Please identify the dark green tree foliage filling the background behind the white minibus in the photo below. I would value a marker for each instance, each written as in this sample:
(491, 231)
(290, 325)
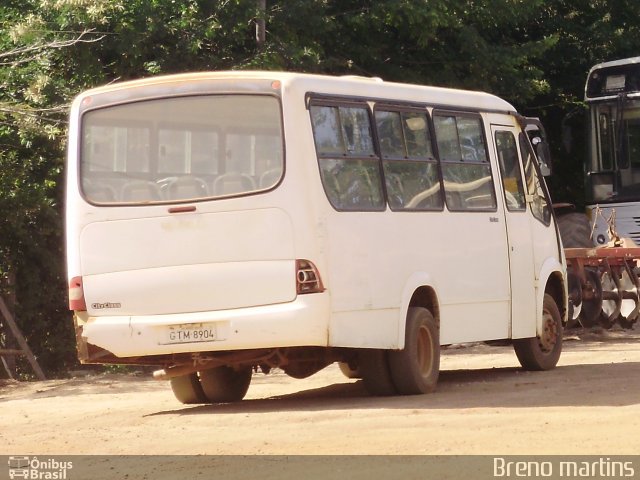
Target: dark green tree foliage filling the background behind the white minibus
(534, 53)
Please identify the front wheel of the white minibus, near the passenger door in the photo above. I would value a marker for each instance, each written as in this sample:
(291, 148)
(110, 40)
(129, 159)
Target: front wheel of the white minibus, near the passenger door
(542, 353)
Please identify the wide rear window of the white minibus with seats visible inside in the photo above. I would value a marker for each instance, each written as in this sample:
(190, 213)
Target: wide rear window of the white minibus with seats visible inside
(181, 148)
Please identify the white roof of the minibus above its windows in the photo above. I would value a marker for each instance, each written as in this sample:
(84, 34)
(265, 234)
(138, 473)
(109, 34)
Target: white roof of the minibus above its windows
(362, 87)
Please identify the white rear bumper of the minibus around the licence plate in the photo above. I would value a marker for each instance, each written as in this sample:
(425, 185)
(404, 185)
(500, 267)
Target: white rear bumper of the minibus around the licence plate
(303, 322)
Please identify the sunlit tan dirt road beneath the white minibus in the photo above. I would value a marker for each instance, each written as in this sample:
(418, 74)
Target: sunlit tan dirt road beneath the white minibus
(485, 404)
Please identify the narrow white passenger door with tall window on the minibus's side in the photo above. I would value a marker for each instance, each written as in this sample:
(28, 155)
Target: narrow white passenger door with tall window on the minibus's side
(519, 231)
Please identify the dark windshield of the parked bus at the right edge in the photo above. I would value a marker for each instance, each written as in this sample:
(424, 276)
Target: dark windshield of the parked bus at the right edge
(615, 169)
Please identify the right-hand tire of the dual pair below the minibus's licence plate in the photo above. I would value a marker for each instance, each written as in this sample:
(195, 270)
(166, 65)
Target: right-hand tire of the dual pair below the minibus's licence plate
(224, 384)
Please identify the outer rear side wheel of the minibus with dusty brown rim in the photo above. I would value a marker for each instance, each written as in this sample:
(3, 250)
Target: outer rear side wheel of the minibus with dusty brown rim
(416, 368)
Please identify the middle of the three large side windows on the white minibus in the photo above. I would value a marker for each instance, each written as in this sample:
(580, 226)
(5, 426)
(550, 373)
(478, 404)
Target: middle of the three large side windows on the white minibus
(410, 169)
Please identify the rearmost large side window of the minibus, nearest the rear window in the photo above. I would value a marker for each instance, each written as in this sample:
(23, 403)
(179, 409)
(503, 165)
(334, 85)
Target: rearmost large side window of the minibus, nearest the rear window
(349, 168)
